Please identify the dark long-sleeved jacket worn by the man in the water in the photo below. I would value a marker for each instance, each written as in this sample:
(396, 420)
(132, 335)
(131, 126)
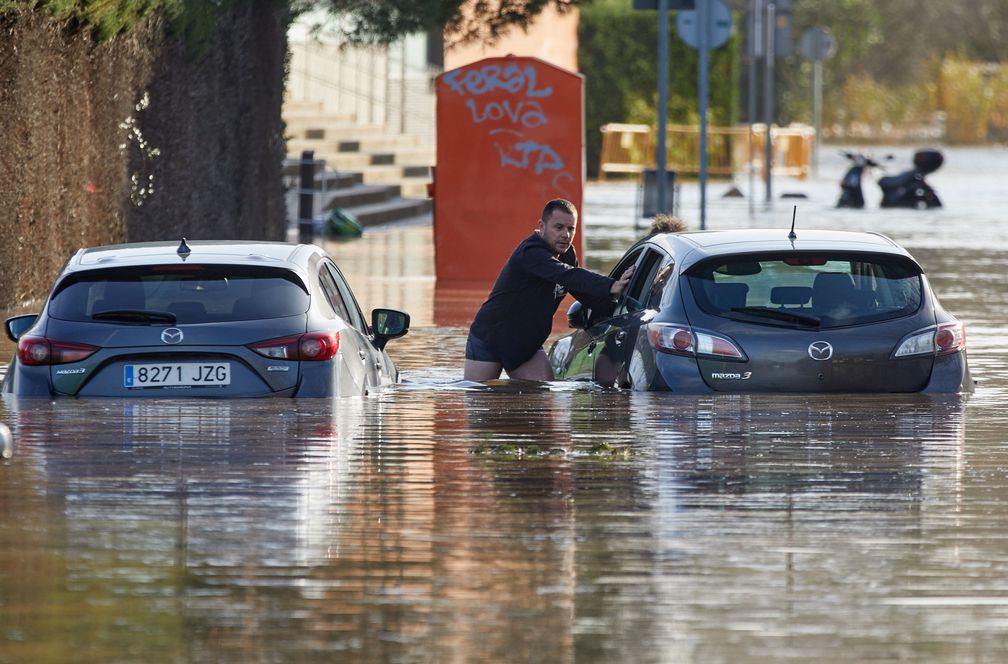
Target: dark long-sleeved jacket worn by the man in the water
(518, 317)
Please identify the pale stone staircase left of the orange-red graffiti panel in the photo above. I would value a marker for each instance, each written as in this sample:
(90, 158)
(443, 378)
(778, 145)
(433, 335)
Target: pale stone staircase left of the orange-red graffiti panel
(375, 176)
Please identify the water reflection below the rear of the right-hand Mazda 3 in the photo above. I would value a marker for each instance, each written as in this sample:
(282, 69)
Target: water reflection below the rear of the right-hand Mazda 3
(824, 447)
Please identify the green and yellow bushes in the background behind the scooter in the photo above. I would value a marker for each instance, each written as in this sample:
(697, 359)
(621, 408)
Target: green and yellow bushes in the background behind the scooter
(902, 66)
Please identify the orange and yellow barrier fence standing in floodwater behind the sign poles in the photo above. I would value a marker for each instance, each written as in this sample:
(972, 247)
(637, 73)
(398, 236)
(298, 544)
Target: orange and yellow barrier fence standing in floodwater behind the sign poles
(631, 150)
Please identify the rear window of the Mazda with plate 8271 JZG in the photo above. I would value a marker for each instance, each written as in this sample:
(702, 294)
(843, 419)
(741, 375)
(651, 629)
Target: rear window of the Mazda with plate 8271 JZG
(180, 294)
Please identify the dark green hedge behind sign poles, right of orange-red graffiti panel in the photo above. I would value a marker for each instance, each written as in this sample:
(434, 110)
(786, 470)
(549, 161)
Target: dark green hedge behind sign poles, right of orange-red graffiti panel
(618, 55)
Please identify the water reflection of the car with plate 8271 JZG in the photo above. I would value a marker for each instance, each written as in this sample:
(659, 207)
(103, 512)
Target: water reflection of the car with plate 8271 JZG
(183, 468)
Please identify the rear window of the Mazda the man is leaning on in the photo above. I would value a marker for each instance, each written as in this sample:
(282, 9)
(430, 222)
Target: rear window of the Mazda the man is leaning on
(808, 291)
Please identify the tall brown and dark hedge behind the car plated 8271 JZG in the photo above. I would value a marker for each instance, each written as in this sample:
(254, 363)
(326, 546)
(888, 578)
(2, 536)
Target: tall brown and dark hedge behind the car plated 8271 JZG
(121, 122)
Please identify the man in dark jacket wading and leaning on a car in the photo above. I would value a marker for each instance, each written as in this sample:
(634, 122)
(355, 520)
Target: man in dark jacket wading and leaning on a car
(511, 328)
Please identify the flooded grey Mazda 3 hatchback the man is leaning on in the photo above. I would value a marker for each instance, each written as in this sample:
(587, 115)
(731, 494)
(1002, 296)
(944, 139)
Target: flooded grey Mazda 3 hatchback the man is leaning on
(758, 311)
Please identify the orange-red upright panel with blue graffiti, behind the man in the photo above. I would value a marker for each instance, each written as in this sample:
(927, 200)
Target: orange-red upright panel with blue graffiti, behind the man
(511, 138)
